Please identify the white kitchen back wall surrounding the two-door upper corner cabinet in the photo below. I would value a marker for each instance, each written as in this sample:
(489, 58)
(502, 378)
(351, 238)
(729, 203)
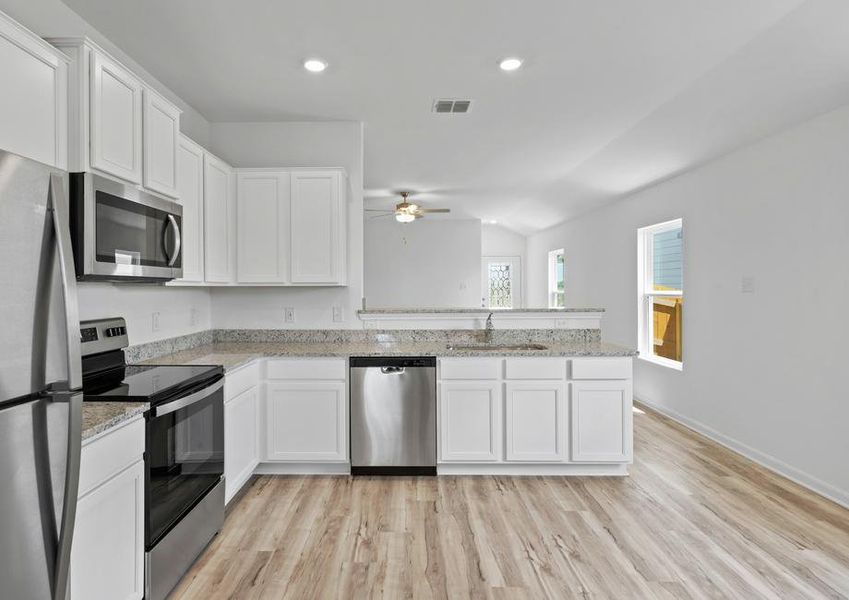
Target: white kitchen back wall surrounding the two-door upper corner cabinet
(319, 144)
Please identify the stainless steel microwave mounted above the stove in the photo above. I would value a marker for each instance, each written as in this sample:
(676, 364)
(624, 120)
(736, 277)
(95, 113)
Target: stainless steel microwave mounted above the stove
(122, 233)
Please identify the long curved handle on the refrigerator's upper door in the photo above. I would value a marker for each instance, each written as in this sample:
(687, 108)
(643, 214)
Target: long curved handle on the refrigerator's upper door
(57, 206)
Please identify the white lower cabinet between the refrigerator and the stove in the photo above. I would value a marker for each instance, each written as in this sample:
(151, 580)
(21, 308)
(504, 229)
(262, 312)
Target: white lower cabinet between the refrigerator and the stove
(107, 557)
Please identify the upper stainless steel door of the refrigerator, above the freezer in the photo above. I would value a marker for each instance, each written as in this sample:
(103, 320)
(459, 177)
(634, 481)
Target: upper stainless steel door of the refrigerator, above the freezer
(34, 346)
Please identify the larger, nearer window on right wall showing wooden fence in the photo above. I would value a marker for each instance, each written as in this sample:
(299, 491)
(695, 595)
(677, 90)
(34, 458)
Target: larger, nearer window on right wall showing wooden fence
(660, 250)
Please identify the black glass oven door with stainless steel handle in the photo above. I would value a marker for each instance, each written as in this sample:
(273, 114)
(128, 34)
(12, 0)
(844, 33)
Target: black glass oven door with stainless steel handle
(185, 456)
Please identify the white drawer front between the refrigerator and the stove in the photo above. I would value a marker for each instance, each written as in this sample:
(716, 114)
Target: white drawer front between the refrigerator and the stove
(105, 456)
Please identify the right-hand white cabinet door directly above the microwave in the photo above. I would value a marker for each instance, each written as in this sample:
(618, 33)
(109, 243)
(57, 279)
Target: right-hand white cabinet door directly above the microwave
(161, 132)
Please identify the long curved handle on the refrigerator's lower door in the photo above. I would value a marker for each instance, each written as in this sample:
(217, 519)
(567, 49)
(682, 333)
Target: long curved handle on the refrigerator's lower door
(69, 500)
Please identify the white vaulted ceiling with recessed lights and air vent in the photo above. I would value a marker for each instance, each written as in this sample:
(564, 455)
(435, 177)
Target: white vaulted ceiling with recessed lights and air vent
(613, 95)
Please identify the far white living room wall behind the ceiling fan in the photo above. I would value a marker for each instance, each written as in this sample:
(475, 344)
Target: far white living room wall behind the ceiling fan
(423, 264)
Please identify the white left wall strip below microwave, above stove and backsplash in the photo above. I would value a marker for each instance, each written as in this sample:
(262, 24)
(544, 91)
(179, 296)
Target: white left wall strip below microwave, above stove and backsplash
(180, 310)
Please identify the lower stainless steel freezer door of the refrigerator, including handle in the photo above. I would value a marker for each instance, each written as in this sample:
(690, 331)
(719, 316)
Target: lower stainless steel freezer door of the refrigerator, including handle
(39, 463)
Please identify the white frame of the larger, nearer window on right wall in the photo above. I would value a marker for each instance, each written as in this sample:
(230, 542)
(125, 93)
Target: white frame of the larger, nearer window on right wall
(646, 293)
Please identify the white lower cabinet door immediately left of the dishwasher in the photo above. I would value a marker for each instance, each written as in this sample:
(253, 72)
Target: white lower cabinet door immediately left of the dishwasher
(307, 422)
